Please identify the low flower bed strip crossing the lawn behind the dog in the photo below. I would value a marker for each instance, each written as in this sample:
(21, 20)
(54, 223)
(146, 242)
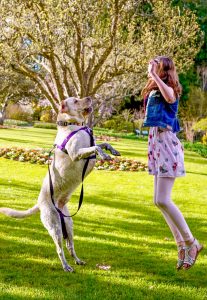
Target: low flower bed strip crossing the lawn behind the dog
(41, 156)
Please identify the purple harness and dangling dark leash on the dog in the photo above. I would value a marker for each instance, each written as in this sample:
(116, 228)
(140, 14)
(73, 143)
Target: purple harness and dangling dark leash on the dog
(62, 148)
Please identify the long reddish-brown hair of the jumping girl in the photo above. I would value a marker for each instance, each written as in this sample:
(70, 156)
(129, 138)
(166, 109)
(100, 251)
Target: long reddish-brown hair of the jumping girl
(167, 72)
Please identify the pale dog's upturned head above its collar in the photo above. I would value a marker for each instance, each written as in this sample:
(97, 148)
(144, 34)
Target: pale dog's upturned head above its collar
(76, 110)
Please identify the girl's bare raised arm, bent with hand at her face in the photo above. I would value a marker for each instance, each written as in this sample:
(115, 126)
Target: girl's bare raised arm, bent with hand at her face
(165, 90)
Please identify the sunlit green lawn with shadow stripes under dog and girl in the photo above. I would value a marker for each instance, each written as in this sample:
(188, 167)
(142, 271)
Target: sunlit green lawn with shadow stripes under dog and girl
(117, 225)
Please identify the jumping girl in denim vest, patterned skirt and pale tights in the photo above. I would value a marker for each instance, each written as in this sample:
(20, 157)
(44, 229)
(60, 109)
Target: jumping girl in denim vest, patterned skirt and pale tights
(165, 152)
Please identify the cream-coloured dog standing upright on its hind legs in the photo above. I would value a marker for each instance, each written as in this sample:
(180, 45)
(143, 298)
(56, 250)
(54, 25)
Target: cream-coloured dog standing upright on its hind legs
(65, 172)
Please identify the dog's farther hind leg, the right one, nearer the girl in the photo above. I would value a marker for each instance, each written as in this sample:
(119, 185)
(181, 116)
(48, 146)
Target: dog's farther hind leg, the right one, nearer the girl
(69, 240)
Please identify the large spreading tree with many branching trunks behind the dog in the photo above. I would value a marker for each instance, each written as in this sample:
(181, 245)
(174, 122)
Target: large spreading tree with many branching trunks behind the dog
(89, 47)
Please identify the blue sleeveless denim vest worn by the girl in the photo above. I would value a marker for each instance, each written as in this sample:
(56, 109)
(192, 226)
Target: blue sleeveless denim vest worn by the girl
(160, 113)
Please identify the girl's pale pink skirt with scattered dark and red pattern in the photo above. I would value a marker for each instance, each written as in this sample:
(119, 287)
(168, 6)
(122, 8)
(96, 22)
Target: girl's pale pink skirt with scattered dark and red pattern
(165, 154)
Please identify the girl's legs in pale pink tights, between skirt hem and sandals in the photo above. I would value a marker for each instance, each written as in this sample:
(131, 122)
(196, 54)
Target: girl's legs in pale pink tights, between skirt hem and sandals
(180, 229)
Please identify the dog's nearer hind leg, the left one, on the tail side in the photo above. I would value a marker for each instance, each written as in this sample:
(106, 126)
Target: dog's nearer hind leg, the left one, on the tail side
(52, 223)
